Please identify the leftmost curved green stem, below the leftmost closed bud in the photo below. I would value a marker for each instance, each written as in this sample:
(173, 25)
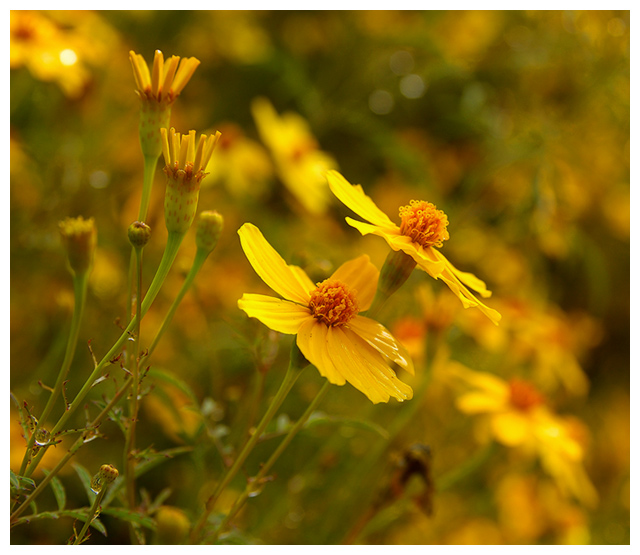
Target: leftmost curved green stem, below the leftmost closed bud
(80, 294)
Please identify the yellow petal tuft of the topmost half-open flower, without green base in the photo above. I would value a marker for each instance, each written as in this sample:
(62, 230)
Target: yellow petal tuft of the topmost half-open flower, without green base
(166, 80)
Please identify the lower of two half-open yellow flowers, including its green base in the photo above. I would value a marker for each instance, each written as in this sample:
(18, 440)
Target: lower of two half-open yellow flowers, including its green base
(185, 167)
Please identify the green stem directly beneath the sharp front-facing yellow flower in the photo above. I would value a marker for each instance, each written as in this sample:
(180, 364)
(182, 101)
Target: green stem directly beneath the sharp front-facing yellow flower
(296, 365)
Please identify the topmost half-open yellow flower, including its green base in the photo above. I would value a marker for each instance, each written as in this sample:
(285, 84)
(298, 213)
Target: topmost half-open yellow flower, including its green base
(157, 90)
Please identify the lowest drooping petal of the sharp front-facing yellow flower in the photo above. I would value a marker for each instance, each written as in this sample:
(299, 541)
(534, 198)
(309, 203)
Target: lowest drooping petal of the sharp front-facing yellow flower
(364, 368)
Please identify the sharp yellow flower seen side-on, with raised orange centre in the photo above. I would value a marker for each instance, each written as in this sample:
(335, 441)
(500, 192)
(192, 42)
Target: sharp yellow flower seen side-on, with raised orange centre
(422, 231)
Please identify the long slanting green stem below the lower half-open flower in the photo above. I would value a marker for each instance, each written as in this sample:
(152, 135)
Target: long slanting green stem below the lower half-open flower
(170, 252)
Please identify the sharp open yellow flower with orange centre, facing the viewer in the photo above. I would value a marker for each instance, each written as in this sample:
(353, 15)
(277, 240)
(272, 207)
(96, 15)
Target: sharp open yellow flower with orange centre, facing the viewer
(330, 333)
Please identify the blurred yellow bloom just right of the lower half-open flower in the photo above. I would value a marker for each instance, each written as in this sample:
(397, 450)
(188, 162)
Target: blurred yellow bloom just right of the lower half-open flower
(240, 163)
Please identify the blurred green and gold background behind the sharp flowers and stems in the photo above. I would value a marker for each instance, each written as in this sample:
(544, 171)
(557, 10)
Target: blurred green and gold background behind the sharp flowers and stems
(515, 123)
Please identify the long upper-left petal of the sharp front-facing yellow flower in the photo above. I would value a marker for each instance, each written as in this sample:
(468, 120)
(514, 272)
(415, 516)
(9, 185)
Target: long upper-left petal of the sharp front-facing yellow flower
(271, 267)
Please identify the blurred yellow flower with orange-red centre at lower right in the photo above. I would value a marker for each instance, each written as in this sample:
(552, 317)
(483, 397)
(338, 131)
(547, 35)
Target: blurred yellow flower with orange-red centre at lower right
(517, 416)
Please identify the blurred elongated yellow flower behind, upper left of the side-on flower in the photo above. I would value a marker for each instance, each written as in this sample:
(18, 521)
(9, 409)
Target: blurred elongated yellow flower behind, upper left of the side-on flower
(299, 163)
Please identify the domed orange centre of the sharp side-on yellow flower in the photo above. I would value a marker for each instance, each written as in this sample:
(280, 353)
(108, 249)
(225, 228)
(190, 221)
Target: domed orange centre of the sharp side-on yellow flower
(424, 223)
